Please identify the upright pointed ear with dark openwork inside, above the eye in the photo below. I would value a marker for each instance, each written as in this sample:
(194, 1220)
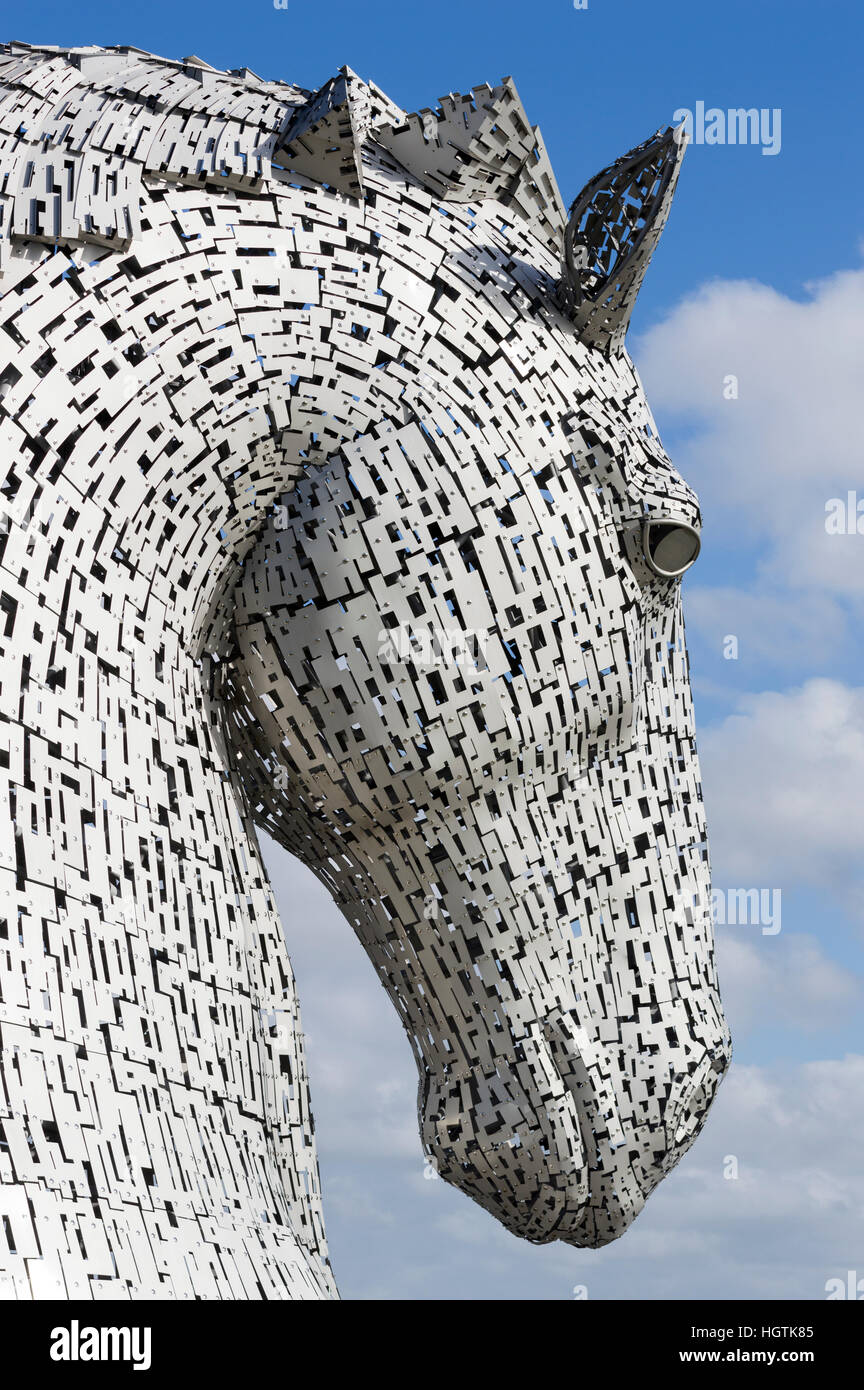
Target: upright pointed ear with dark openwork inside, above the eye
(613, 230)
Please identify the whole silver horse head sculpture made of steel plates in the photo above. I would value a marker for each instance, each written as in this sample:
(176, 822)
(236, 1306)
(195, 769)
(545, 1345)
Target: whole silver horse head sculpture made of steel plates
(333, 507)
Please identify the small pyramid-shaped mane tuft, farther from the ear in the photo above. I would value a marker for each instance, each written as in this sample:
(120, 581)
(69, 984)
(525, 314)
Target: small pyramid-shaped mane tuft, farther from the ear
(324, 138)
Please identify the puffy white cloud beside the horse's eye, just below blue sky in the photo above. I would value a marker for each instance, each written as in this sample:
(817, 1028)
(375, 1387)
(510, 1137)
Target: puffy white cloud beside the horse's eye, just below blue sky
(769, 461)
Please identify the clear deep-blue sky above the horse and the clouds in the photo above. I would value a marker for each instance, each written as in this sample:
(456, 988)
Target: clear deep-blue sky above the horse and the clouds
(597, 81)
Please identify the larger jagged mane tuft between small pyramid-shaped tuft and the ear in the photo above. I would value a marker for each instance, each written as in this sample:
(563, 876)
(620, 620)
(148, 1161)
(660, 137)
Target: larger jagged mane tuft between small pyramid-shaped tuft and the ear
(481, 145)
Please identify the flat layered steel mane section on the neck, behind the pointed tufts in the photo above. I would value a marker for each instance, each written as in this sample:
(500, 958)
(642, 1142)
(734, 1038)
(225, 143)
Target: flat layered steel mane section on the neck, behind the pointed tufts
(81, 130)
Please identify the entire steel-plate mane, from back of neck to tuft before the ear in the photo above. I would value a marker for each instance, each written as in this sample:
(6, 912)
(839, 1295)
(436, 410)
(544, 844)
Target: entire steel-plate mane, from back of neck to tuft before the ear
(83, 130)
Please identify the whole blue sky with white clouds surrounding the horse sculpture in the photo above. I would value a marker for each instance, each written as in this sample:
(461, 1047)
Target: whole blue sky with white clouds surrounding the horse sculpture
(759, 275)
